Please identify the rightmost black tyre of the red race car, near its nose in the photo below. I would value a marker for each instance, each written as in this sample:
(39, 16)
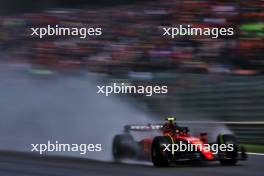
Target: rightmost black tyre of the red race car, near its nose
(228, 157)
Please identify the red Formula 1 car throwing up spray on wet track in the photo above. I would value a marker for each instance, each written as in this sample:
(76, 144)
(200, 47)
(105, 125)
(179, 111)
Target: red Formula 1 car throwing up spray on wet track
(175, 144)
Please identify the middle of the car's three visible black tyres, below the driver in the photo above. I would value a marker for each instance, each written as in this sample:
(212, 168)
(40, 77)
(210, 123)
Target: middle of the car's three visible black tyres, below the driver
(159, 157)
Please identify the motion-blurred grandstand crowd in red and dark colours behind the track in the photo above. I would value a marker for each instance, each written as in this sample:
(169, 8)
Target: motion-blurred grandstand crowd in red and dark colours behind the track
(132, 40)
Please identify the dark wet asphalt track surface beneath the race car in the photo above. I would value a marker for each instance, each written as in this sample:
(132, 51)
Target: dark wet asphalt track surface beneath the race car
(13, 164)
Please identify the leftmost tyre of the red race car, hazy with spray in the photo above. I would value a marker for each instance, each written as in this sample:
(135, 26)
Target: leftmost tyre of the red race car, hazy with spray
(122, 146)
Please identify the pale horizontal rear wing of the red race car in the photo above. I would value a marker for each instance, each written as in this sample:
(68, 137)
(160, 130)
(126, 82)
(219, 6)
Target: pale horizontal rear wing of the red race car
(149, 127)
